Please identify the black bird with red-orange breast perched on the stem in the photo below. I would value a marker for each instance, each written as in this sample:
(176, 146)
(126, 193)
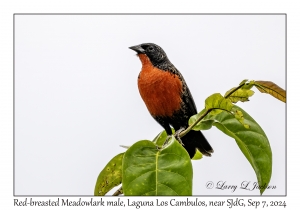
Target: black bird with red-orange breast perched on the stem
(167, 96)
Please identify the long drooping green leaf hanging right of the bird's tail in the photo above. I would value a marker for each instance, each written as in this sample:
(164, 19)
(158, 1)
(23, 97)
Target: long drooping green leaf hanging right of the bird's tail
(252, 141)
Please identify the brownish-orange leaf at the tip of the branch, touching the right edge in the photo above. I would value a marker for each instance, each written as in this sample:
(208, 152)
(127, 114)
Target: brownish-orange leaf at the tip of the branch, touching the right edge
(272, 89)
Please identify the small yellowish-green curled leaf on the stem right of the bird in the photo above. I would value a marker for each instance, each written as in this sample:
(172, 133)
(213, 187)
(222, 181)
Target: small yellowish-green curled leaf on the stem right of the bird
(217, 103)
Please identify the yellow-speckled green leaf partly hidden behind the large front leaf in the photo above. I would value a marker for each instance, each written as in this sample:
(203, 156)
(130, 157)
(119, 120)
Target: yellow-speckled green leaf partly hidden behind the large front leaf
(110, 176)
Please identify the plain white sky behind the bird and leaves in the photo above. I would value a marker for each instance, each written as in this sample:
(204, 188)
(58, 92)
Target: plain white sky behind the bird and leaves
(76, 95)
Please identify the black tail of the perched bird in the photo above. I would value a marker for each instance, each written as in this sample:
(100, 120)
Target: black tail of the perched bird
(195, 139)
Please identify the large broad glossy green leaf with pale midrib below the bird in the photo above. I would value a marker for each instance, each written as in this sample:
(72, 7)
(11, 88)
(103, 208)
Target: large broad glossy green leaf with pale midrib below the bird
(149, 171)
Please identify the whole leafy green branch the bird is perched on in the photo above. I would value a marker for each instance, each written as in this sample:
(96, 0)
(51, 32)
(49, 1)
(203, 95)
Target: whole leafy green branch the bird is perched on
(163, 167)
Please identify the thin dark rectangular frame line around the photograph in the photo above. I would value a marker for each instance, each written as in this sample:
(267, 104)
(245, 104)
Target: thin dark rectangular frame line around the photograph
(14, 194)
